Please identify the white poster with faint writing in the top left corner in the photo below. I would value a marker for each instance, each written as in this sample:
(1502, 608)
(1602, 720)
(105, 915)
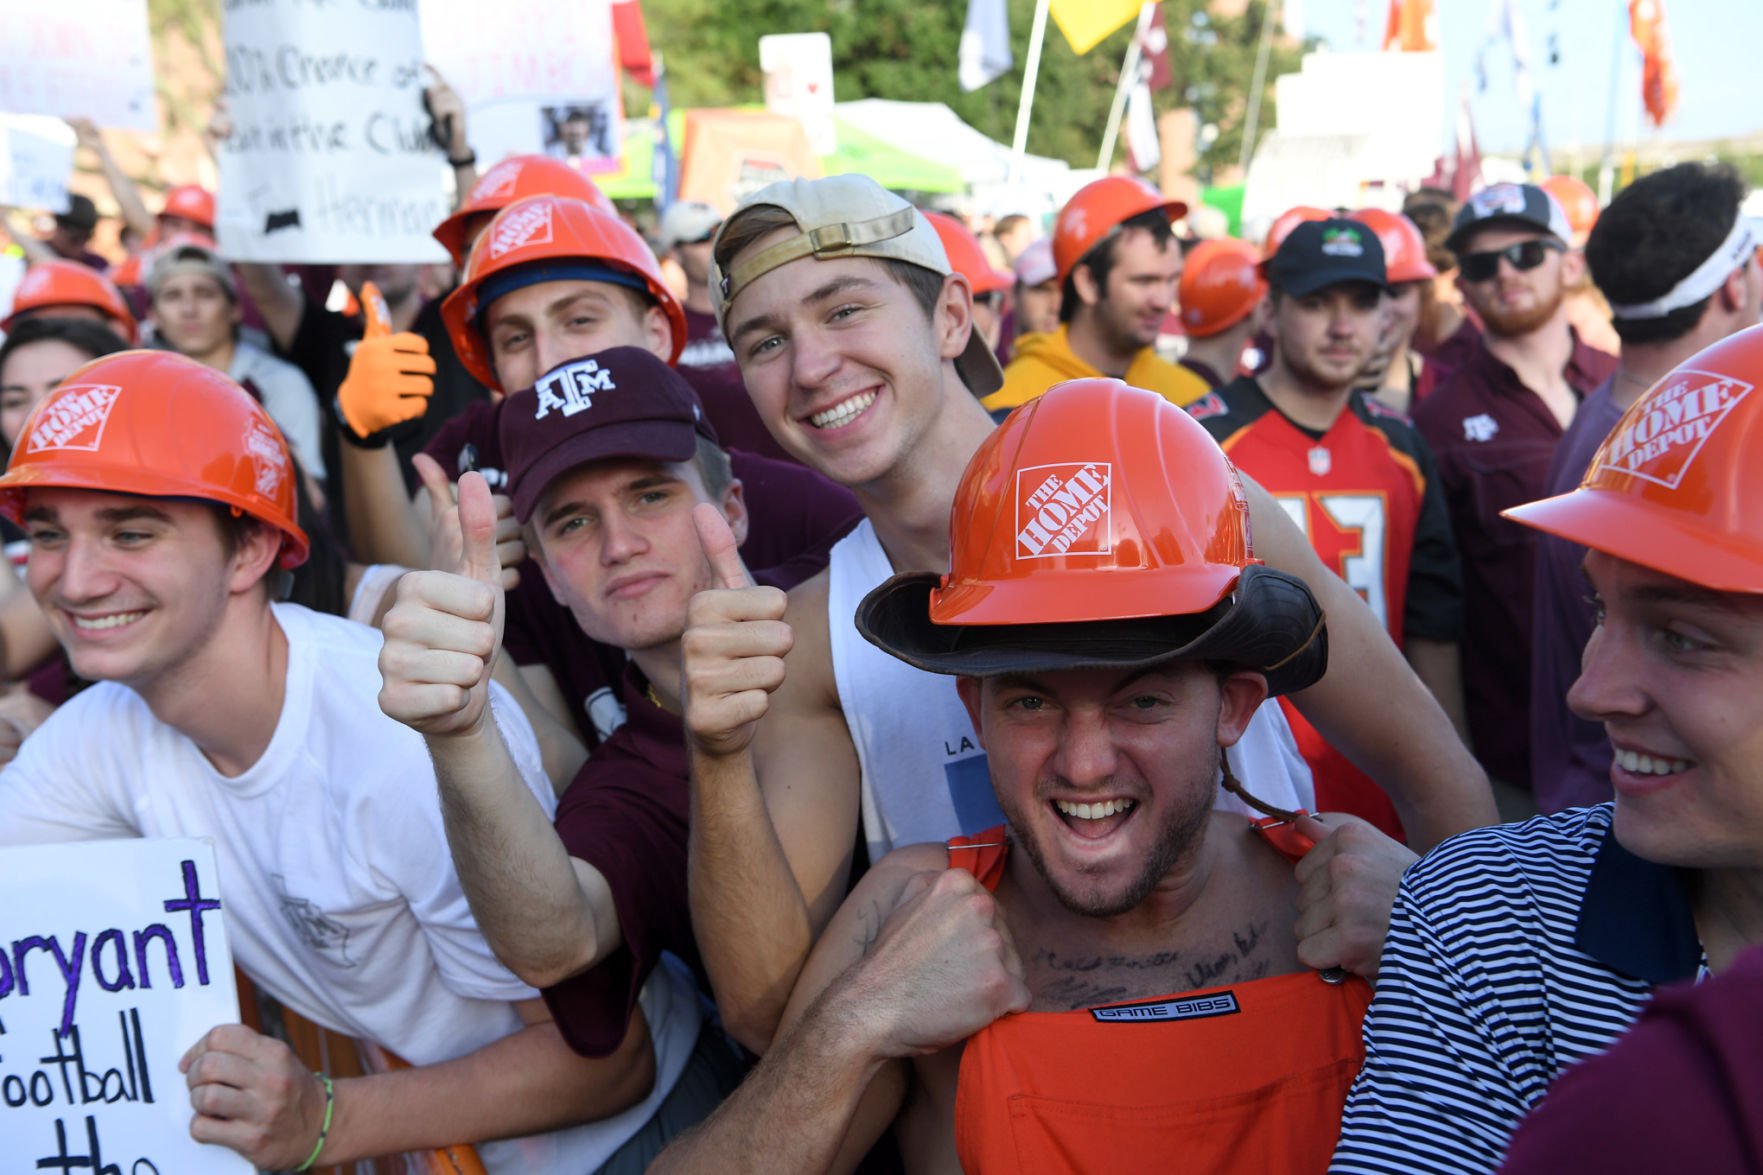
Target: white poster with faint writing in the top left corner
(78, 59)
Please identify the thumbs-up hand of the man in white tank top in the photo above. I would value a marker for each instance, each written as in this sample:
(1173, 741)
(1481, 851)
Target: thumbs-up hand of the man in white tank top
(734, 647)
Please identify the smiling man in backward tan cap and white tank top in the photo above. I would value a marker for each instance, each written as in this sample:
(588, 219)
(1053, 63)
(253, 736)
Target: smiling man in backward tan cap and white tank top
(856, 345)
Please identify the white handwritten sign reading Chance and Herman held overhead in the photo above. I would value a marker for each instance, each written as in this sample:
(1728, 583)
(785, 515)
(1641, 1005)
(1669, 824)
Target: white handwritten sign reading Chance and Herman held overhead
(331, 156)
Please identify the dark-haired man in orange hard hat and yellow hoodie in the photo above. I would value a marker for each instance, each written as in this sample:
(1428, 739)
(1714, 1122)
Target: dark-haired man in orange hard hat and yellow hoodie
(1119, 264)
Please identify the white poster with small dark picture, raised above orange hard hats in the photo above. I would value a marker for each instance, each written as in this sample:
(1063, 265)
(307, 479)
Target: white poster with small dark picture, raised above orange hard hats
(537, 79)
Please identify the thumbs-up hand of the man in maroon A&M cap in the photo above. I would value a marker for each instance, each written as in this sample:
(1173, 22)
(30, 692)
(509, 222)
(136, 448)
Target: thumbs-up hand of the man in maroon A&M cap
(447, 627)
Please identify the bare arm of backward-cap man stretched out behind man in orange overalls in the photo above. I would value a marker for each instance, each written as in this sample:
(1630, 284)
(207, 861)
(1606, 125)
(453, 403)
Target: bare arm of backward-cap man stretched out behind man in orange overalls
(1371, 705)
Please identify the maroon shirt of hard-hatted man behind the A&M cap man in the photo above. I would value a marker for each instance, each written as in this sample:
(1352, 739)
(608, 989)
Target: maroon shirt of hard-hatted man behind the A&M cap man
(794, 518)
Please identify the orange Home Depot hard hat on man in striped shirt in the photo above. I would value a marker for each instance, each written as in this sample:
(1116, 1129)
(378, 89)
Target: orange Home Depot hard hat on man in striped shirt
(1676, 486)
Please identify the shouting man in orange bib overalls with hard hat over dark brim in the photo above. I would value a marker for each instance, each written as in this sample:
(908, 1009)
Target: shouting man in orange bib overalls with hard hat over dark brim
(1145, 938)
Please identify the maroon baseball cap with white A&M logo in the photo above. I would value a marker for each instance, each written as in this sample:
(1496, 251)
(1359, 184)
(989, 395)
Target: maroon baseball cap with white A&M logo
(620, 403)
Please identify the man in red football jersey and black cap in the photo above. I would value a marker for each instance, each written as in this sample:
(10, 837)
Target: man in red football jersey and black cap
(1353, 475)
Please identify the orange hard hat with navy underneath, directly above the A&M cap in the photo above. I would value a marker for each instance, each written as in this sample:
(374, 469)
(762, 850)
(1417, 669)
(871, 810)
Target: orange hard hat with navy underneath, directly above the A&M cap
(560, 239)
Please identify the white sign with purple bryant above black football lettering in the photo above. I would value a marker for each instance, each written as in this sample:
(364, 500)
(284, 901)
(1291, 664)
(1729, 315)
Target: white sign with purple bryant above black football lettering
(114, 961)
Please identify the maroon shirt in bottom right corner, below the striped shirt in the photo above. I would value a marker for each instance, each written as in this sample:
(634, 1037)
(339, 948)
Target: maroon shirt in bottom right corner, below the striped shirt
(1683, 1091)
